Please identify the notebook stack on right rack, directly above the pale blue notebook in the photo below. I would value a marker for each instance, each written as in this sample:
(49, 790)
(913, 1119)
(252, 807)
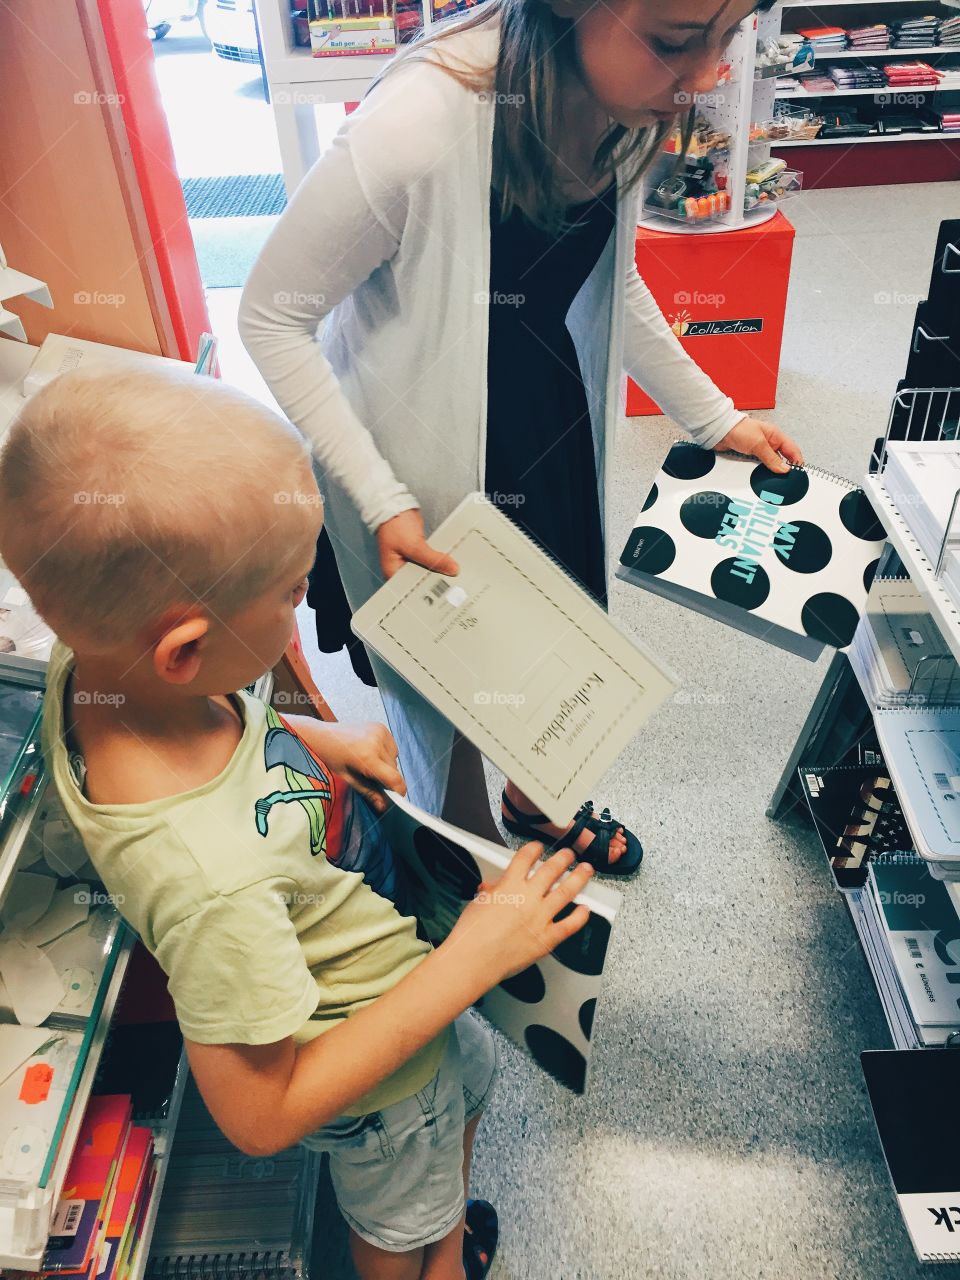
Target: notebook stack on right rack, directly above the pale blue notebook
(899, 650)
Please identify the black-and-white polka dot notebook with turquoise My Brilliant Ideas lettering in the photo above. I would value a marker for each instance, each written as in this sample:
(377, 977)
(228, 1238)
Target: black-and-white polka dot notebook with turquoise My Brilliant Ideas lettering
(788, 559)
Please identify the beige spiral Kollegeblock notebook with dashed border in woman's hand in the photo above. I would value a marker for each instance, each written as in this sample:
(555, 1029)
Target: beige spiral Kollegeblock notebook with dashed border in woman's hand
(518, 656)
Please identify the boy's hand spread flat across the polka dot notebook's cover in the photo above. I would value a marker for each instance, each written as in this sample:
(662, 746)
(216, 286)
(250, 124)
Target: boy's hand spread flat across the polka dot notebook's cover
(513, 924)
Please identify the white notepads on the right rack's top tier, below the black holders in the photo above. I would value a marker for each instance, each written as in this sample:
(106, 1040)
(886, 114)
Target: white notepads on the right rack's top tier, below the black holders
(924, 479)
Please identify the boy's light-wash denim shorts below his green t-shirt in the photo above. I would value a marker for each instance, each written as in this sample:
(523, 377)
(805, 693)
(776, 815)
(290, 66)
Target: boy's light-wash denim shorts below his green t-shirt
(399, 1173)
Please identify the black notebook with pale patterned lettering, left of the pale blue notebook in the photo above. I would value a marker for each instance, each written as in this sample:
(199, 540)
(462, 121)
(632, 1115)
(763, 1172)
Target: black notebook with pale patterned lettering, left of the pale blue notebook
(857, 815)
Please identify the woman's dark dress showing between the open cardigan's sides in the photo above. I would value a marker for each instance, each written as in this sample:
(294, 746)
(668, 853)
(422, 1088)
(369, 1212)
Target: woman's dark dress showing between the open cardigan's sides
(541, 467)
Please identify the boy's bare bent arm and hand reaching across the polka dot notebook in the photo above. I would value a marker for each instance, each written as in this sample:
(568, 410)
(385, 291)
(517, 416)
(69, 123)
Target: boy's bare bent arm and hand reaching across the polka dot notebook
(267, 1098)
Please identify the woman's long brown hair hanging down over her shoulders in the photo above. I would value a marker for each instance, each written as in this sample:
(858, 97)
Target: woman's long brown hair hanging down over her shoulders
(537, 49)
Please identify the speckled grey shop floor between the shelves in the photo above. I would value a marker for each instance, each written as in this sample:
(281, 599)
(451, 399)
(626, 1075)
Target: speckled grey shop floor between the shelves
(728, 1132)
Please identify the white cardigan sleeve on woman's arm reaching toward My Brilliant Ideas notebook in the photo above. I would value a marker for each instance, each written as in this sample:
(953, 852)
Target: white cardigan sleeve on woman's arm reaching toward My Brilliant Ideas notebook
(656, 362)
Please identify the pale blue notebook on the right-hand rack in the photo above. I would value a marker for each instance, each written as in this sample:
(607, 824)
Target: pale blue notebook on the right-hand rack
(922, 751)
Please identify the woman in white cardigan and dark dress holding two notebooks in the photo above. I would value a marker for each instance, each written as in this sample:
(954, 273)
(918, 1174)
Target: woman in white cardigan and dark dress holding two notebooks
(470, 237)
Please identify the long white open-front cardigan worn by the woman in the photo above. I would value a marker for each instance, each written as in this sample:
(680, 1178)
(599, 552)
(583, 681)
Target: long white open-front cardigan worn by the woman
(387, 243)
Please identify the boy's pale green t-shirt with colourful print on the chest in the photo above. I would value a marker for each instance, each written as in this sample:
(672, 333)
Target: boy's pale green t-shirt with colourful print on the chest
(267, 895)
